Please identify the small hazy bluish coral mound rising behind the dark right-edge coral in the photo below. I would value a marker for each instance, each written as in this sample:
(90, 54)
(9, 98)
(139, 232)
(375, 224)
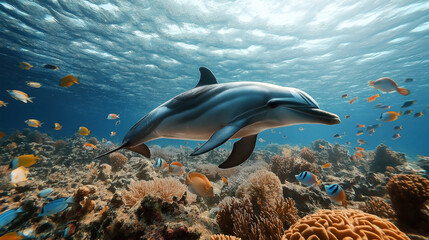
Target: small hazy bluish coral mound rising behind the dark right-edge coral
(385, 157)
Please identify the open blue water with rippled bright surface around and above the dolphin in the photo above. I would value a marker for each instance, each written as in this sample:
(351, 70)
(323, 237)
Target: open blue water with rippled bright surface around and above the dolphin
(133, 56)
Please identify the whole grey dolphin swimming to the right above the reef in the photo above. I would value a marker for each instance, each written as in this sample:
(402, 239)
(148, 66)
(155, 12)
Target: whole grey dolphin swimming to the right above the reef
(217, 112)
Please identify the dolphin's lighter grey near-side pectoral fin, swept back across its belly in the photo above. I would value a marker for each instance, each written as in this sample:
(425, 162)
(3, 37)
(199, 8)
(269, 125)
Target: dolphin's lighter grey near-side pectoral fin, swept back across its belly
(219, 137)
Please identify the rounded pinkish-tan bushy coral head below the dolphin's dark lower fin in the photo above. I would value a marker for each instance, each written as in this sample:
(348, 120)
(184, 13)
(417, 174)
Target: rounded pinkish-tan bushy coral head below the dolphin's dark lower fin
(262, 187)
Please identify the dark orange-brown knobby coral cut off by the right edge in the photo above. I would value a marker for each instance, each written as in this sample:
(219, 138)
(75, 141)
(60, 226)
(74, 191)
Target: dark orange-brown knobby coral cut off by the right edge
(408, 194)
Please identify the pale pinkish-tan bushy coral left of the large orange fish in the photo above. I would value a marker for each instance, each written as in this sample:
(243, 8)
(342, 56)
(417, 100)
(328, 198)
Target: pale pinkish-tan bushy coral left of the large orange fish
(164, 188)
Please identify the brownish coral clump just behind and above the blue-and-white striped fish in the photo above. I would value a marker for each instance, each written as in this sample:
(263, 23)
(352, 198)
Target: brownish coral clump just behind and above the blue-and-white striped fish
(287, 167)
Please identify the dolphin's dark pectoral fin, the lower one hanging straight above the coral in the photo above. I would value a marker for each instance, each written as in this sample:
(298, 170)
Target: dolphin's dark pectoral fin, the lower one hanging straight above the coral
(240, 152)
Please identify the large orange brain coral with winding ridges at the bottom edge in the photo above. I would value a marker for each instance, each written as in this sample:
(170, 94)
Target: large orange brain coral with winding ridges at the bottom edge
(343, 224)
